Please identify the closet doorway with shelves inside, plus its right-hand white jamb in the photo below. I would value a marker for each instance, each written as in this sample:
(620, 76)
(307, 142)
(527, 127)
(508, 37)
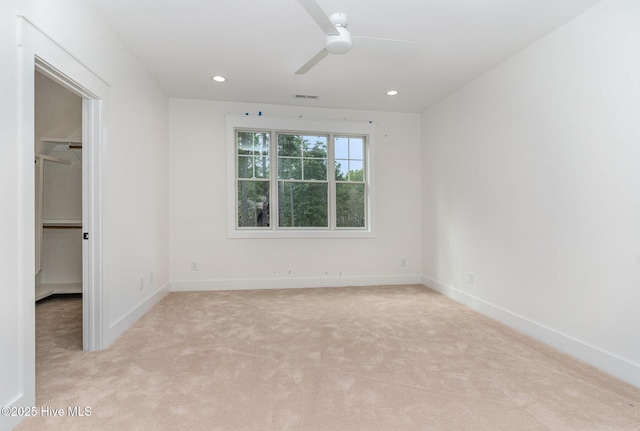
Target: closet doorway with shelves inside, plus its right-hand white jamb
(67, 136)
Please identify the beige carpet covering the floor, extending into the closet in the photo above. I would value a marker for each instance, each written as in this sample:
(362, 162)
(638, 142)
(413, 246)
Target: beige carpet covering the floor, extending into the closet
(374, 358)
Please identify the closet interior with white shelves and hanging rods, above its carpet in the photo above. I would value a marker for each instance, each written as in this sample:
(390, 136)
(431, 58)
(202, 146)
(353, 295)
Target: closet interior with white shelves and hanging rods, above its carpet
(58, 187)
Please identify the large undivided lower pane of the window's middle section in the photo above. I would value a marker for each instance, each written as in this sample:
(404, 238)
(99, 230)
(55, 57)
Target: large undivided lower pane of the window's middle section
(302, 204)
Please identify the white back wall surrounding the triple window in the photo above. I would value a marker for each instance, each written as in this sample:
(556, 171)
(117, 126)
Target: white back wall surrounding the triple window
(199, 214)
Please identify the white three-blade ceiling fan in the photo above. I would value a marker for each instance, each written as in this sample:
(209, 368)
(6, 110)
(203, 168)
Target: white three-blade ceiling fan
(338, 40)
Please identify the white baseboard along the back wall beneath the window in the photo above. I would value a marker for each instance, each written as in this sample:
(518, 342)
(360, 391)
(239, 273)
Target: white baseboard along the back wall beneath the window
(290, 282)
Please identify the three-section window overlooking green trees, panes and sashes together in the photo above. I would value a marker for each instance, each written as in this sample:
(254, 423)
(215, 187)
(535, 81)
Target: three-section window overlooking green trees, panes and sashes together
(300, 183)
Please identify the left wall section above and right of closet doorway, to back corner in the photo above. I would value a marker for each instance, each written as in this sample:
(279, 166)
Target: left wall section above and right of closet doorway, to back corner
(135, 215)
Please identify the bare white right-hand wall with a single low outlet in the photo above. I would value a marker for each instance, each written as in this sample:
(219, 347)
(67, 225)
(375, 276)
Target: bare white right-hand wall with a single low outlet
(531, 182)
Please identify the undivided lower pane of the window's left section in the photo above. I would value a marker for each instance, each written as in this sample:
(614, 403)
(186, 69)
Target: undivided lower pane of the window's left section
(253, 203)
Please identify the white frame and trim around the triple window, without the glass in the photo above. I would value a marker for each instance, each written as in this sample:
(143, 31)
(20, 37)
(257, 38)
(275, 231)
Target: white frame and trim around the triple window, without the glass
(301, 126)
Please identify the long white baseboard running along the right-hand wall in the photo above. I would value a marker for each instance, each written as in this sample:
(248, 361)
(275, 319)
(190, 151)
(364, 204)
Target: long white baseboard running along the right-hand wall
(594, 356)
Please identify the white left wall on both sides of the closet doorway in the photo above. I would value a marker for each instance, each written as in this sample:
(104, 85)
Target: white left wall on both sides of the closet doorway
(135, 183)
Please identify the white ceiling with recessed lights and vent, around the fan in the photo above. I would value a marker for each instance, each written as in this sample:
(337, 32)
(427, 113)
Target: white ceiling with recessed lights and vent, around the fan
(259, 44)
